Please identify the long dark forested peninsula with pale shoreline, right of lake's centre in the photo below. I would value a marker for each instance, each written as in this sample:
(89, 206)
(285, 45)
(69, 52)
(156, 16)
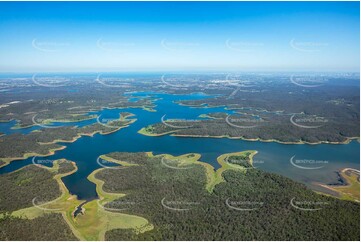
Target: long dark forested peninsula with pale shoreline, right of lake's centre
(265, 126)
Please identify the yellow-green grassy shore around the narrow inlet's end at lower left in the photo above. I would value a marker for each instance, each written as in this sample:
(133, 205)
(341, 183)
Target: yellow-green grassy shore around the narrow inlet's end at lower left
(95, 222)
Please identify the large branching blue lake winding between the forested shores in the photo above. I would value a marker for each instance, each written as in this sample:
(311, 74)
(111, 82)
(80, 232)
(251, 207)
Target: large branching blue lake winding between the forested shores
(272, 157)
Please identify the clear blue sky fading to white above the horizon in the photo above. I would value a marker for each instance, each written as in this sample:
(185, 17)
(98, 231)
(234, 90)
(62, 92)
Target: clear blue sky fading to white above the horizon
(192, 36)
